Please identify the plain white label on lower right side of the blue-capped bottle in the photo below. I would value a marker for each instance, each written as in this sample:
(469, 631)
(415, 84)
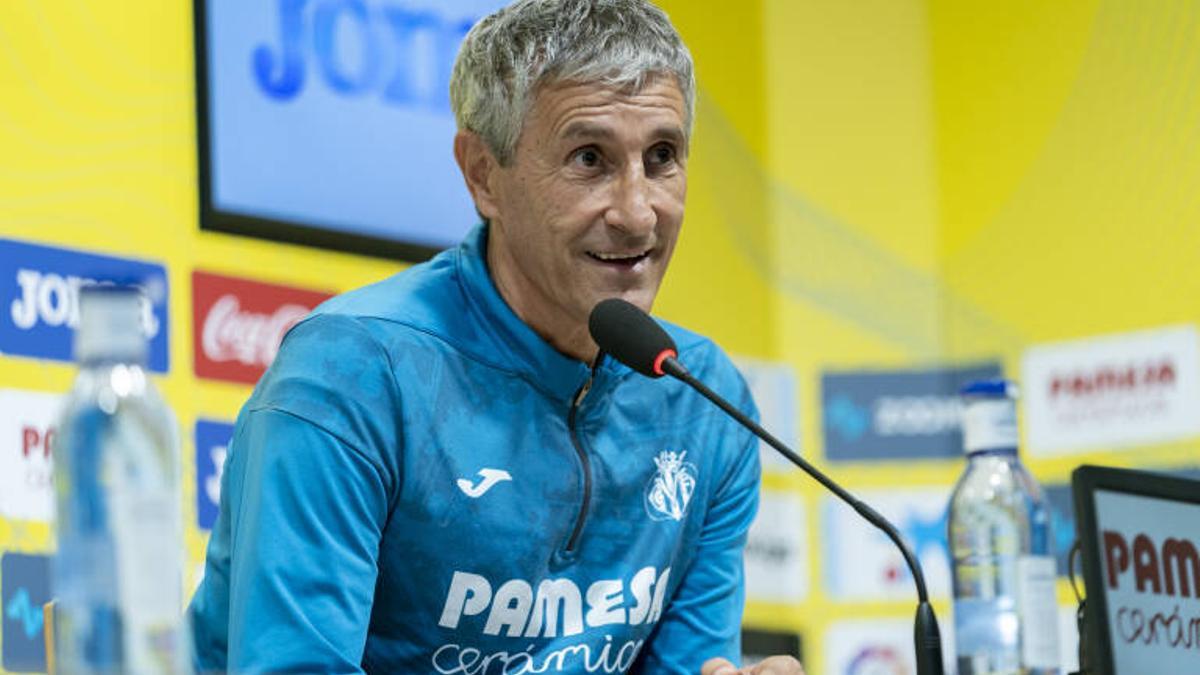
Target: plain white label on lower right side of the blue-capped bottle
(1040, 611)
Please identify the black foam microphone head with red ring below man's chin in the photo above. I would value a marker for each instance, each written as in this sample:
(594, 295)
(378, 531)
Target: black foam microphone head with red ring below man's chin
(631, 336)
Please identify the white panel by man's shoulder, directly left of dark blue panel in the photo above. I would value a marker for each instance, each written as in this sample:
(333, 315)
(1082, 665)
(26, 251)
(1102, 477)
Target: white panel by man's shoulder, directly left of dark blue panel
(775, 391)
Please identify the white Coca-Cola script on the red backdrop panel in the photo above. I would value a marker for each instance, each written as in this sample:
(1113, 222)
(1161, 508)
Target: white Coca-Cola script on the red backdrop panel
(232, 334)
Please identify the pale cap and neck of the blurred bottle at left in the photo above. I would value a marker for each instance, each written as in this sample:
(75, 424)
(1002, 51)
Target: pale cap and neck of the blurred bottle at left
(111, 324)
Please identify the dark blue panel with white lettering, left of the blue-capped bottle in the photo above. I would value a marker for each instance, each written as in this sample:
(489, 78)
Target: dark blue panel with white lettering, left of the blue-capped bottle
(897, 414)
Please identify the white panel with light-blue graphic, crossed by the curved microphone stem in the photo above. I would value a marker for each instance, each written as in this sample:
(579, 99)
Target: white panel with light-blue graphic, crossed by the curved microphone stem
(861, 564)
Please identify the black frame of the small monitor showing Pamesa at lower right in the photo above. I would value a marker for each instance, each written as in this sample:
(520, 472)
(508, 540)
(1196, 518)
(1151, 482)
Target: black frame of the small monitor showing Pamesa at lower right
(1085, 481)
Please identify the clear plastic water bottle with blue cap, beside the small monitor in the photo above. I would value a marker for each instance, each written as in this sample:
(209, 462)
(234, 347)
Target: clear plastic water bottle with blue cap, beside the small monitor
(1004, 568)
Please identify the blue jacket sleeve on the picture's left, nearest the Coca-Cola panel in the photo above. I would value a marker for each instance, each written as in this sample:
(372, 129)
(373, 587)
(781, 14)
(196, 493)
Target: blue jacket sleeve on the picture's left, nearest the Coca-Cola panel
(308, 485)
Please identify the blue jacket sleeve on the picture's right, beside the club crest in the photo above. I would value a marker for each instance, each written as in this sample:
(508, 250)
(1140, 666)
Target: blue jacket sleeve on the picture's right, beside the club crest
(704, 619)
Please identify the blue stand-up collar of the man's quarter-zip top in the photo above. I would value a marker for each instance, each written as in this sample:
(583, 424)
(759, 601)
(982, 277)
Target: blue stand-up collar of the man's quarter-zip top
(517, 345)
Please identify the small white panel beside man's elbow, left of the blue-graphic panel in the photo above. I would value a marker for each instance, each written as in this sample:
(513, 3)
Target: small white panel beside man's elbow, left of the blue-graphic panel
(777, 552)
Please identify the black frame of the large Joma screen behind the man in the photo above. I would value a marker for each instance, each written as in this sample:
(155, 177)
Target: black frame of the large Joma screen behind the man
(290, 232)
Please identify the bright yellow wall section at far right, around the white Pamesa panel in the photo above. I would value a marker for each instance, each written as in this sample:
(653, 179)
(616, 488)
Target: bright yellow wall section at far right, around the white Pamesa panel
(1069, 163)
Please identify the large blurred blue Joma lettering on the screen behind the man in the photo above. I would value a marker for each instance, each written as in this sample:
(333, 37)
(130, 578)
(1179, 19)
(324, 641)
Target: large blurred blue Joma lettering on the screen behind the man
(400, 55)
